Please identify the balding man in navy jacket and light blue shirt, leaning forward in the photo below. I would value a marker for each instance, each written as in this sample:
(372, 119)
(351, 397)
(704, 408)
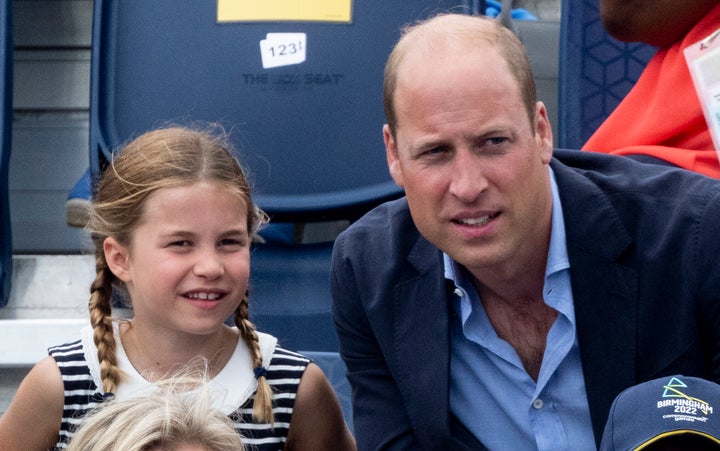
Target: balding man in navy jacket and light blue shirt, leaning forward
(514, 291)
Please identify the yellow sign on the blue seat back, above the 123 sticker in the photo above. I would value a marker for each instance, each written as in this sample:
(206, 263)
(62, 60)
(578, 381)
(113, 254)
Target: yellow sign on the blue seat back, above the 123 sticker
(284, 10)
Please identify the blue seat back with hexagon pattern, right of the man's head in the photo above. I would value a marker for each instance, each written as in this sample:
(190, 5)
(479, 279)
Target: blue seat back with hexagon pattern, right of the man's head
(596, 71)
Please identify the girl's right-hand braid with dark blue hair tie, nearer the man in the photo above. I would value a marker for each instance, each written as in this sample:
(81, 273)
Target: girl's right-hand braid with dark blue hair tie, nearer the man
(262, 407)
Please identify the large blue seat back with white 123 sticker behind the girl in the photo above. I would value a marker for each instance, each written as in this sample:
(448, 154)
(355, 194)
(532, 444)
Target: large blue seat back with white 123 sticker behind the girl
(308, 126)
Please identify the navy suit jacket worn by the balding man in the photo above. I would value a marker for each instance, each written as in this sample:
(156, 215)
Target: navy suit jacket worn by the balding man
(644, 245)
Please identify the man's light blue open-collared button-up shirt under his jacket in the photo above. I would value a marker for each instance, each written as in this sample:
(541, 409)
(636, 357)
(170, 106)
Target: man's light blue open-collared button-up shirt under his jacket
(490, 391)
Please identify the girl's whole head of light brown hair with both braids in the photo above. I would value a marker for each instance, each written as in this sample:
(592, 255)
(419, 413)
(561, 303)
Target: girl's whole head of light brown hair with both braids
(163, 158)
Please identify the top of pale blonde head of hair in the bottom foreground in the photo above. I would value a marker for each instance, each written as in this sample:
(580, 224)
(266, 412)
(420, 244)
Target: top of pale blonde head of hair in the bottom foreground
(167, 418)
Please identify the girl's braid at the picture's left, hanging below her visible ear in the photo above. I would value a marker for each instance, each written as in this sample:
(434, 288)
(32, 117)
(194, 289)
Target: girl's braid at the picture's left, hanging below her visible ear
(101, 321)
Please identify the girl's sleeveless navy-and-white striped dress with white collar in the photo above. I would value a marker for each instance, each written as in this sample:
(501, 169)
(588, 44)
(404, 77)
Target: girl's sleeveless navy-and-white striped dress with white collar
(80, 373)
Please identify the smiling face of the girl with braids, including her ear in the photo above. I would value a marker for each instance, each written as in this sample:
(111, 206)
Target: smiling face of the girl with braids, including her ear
(187, 268)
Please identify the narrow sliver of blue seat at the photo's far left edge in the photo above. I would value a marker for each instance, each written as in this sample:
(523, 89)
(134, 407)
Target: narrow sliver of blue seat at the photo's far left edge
(6, 86)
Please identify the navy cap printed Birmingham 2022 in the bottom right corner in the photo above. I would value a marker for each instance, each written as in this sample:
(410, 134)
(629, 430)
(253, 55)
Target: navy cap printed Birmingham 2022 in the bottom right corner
(674, 409)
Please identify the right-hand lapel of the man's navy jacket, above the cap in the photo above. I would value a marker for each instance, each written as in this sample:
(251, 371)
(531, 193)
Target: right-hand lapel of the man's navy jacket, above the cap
(605, 292)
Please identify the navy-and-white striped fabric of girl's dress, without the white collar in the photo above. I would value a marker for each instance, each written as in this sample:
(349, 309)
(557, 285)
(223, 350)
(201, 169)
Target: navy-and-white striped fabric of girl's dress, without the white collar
(284, 373)
